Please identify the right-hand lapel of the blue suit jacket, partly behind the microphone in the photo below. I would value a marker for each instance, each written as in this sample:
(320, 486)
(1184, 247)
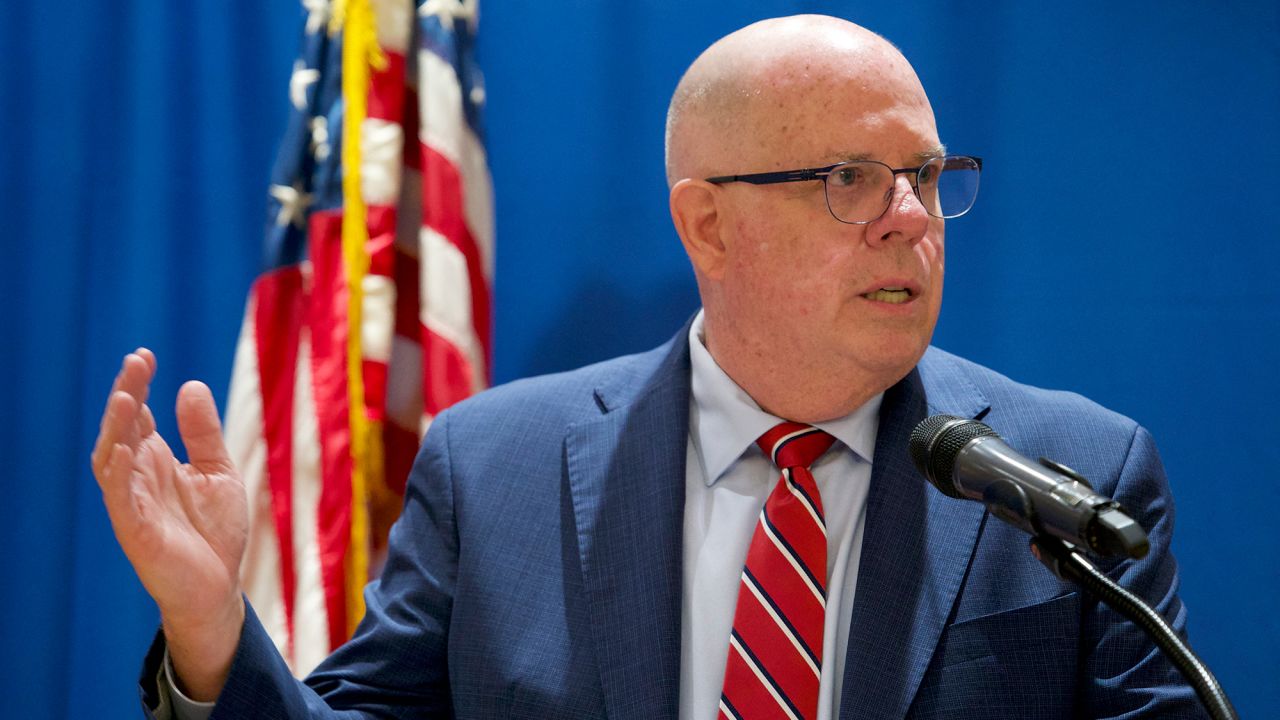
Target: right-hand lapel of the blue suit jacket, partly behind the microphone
(917, 546)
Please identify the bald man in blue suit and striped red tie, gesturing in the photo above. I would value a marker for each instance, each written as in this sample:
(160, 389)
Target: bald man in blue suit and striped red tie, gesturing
(589, 544)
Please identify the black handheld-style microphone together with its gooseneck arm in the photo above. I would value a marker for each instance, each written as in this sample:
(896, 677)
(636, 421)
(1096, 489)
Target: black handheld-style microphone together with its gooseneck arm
(967, 459)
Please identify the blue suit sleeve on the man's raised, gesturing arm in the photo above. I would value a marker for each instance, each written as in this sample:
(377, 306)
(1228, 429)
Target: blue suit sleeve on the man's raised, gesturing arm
(396, 666)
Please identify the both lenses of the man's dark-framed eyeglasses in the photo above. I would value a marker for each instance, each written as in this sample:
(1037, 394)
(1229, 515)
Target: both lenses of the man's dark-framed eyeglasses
(861, 192)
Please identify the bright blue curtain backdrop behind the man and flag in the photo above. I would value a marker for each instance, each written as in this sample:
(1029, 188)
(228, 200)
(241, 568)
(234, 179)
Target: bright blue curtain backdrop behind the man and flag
(1126, 245)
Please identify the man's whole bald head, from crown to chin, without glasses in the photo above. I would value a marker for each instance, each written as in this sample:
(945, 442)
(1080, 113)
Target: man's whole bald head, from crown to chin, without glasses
(775, 267)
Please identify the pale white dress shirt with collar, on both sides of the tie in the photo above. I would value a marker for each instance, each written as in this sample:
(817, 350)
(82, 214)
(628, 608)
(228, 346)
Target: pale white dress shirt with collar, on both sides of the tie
(728, 480)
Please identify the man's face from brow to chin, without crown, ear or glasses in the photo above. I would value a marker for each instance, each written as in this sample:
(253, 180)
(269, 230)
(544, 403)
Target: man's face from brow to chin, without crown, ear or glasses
(811, 286)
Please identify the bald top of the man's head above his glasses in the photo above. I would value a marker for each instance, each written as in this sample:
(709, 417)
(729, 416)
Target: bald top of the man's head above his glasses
(793, 88)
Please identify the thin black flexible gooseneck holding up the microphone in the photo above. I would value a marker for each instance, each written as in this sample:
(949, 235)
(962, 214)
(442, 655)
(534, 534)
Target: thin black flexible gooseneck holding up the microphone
(1072, 566)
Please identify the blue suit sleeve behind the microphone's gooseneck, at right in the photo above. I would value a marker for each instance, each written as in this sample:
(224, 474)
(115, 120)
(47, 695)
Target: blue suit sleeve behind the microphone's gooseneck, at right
(1124, 675)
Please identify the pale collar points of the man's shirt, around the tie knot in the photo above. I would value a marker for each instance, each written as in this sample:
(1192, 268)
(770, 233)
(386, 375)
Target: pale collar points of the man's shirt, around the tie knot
(725, 422)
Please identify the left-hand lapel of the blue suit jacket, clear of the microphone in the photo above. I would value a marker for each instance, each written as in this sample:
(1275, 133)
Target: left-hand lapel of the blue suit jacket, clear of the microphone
(627, 476)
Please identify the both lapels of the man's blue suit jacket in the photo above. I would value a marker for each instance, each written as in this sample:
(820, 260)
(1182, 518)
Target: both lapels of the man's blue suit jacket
(627, 476)
